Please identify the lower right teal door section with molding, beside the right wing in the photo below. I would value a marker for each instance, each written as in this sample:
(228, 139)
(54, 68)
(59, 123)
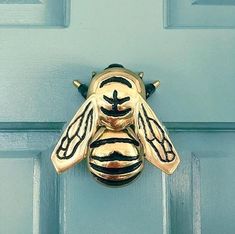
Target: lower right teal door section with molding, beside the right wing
(199, 195)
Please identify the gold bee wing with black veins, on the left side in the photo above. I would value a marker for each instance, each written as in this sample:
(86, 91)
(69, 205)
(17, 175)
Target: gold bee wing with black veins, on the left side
(73, 144)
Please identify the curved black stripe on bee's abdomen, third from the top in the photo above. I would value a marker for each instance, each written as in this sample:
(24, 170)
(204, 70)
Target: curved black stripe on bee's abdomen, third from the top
(116, 171)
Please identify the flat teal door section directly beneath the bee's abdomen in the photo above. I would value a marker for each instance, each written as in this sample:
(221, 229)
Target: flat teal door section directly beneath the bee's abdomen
(90, 207)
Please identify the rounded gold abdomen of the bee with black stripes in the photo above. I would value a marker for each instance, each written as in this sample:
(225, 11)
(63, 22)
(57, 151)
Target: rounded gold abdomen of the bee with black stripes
(115, 158)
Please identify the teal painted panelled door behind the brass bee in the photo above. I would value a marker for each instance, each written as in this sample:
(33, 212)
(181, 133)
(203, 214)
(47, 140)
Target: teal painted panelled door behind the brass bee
(189, 45)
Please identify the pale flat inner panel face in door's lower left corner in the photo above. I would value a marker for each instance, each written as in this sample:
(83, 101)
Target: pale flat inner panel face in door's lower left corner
(16, 191)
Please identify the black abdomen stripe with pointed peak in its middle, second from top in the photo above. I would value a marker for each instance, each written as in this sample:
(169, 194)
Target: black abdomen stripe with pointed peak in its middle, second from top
(115, 156)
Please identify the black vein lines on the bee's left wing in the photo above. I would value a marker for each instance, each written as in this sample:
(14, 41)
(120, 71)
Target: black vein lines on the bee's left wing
(81, 138)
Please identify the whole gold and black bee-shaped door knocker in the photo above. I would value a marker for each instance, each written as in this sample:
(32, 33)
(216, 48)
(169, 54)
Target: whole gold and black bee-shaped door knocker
(115, 129)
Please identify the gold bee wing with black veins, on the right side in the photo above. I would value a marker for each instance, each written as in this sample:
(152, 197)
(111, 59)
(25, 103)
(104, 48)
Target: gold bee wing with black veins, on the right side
(158, 148)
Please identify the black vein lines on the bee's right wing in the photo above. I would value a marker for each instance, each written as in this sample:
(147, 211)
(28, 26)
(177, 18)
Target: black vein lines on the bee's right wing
(151, 121)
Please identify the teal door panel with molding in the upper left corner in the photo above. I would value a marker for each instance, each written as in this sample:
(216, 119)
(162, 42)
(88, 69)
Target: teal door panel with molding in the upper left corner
(34, 13)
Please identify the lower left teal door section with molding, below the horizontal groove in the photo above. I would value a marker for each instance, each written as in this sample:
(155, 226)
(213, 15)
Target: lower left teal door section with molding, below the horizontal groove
(29, 197)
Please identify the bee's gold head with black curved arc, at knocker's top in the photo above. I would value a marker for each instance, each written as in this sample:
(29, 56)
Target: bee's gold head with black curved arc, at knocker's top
(116, 73)
